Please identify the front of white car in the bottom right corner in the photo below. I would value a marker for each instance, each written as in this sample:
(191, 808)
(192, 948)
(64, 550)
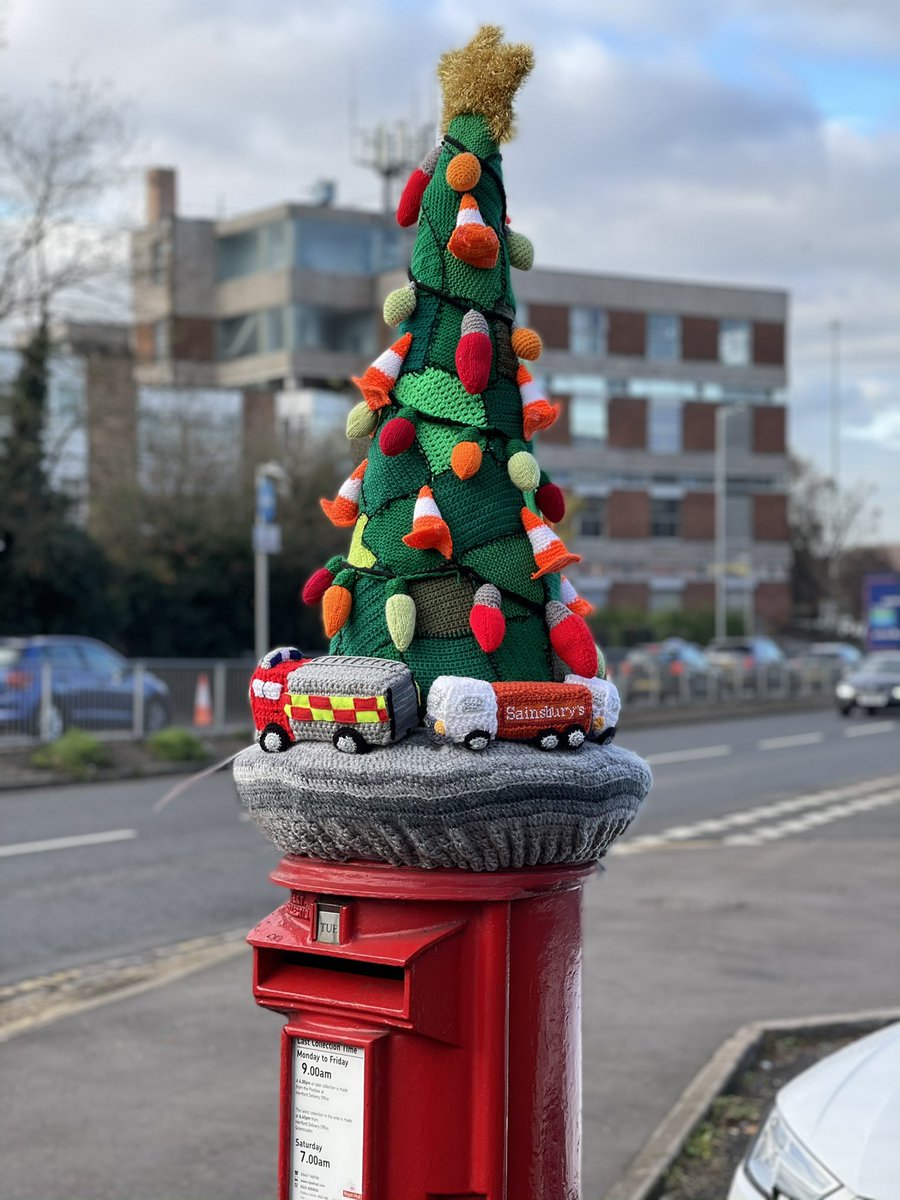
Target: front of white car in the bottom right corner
(833, 1130)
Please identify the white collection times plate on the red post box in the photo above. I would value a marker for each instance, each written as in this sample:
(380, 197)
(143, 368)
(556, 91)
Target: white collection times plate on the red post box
(327, 1131)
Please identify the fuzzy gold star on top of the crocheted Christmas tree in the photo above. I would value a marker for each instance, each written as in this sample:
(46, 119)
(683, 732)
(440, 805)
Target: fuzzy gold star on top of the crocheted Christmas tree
(484, 77)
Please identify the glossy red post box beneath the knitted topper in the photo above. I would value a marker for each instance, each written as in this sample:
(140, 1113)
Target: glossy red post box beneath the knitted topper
(433, 1049)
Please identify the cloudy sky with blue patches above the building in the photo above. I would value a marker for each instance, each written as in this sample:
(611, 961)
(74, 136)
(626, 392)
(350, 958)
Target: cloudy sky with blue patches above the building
(747, 142)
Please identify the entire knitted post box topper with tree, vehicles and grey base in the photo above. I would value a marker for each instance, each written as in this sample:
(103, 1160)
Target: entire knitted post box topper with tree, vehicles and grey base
(454, 571)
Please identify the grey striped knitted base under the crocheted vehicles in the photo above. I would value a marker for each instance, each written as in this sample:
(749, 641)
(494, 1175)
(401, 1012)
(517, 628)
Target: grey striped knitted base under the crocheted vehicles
(421, 805)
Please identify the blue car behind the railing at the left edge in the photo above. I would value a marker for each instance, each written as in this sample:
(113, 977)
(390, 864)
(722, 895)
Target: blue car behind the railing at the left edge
(91, 686)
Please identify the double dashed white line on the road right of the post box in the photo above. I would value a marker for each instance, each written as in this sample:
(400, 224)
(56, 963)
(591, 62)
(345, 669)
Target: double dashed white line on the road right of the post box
(836, 802)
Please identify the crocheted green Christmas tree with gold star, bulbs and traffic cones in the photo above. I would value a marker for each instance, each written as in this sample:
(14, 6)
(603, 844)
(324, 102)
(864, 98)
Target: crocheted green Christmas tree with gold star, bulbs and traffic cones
(454, 567)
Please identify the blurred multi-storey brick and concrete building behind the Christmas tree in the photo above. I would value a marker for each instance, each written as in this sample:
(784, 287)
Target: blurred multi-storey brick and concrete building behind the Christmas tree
(285, 304)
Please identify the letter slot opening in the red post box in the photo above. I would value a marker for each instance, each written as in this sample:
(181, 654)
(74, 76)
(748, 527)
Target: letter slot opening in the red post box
(329, 979)
